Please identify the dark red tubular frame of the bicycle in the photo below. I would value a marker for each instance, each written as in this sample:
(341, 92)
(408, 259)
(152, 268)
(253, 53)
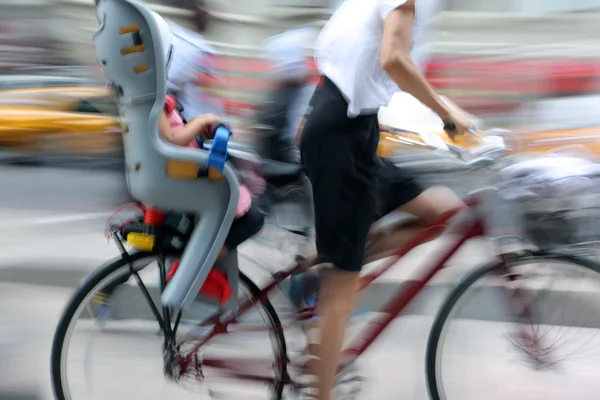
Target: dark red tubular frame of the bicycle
(470, 226)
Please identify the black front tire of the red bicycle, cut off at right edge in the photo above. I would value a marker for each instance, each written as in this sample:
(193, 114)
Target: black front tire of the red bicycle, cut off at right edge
(436, 332)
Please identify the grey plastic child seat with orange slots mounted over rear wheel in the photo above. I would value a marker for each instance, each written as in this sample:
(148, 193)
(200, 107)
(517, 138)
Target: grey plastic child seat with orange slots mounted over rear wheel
(133, 45)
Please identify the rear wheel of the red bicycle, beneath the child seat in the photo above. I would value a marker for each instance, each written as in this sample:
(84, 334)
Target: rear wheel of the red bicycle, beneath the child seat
(92, 357)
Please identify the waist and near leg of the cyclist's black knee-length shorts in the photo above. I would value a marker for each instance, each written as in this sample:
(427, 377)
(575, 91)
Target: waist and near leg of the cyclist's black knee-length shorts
(339, 156)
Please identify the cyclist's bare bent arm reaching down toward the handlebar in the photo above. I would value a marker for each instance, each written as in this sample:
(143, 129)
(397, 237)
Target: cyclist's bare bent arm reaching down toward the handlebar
(396, 60)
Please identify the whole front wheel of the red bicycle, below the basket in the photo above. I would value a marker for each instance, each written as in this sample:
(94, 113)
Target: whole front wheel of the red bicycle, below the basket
(524, 330)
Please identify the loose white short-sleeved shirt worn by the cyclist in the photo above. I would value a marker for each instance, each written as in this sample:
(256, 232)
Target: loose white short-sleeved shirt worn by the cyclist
(348, 50)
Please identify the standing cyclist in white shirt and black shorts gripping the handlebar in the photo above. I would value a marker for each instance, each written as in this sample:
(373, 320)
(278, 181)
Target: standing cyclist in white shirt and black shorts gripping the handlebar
(364, 55)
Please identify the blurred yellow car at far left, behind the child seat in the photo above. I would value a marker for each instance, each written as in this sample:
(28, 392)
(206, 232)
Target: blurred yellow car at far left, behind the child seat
(57, 116)
